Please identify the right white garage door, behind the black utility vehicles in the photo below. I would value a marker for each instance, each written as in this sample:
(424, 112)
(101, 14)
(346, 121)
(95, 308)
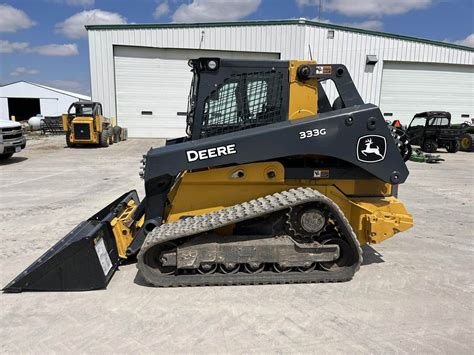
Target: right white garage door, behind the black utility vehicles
(409, 88)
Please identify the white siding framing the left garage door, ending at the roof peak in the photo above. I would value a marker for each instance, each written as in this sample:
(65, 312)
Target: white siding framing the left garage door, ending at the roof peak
(286, 40)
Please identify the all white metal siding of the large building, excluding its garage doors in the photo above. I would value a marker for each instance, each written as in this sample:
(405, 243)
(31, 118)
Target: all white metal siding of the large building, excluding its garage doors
(292, 41)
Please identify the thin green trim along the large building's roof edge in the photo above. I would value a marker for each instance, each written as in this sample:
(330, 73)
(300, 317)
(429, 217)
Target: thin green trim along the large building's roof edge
(277, 22)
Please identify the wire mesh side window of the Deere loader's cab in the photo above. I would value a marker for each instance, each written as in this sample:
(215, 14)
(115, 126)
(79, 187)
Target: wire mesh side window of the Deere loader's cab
(243, 101)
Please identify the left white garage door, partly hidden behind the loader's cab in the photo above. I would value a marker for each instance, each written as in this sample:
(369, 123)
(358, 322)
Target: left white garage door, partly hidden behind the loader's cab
(152, 87)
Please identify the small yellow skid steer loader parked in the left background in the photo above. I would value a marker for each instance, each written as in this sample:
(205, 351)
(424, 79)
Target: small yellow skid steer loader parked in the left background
(85, 124)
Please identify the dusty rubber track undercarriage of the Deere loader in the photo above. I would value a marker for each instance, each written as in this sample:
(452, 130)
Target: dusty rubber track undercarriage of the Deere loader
(289, 237)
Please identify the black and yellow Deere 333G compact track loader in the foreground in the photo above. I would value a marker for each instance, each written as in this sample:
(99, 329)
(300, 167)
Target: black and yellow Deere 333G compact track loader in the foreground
(272, 184)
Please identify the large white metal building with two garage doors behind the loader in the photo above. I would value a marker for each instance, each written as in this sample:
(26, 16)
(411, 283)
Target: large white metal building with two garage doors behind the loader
(140, 72)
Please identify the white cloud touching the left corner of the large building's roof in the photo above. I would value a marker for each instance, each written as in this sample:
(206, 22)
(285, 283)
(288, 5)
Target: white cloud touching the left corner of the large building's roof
(73, 27)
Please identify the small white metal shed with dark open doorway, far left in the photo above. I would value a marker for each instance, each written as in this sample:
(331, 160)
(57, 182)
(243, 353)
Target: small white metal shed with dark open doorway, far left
(23, 100)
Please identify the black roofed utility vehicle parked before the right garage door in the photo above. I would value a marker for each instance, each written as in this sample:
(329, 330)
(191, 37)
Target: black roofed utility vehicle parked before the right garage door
(432, 130)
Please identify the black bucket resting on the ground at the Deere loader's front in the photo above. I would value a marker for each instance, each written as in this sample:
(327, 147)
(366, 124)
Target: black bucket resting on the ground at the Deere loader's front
(85, 259)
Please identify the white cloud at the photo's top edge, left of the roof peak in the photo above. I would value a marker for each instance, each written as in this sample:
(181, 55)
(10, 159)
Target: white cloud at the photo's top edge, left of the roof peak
(215, 10)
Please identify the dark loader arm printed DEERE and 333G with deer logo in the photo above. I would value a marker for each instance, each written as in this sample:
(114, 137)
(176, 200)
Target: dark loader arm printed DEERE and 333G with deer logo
(340, 136)
